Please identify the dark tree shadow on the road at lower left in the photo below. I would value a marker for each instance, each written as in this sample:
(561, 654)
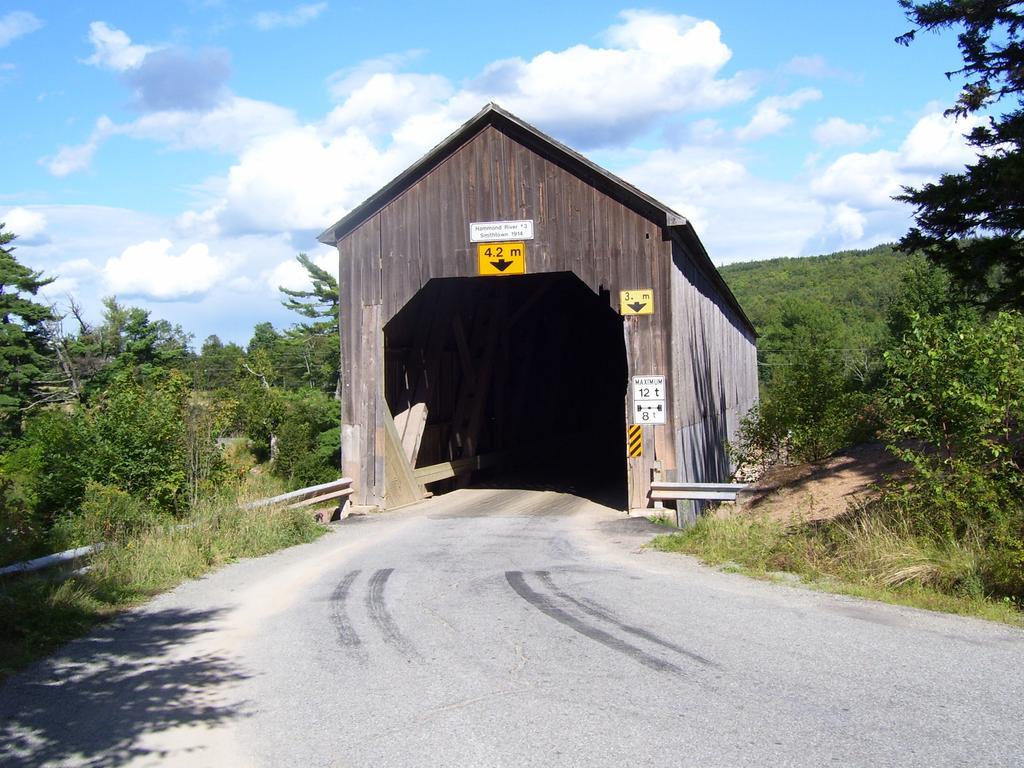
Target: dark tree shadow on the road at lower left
(93, 702)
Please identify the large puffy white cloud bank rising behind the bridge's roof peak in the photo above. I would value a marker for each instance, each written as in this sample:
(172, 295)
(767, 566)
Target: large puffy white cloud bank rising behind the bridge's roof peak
(652, 66)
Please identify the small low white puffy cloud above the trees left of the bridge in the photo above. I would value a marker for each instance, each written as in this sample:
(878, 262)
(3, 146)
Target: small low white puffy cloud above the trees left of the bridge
(149, 269)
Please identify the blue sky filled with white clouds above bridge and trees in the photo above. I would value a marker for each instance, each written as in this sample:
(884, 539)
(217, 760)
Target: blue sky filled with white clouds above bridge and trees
(180, 155)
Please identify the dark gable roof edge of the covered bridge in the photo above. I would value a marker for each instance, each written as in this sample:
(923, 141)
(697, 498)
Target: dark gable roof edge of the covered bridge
(558, 153)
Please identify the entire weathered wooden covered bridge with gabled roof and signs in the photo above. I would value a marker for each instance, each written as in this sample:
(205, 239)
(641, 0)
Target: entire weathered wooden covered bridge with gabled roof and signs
(514, 314)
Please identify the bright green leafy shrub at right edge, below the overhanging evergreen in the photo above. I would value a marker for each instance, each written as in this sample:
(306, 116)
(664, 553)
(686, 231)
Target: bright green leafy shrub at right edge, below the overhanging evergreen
(956, 391)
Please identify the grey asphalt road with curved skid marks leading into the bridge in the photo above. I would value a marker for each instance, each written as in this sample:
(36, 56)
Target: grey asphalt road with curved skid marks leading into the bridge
(505, 628)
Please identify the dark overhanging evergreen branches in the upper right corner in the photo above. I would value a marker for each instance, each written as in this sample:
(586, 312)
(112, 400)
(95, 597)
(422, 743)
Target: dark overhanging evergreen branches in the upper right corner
(971, 223)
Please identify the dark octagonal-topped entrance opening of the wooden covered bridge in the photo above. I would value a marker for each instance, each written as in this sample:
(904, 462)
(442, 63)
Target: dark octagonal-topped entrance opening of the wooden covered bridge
(528, 373)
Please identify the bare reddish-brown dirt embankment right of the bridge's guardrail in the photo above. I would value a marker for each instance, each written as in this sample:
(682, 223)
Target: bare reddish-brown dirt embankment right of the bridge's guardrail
(817, 492)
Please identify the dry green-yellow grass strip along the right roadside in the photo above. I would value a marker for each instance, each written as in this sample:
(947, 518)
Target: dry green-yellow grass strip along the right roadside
(863, 554)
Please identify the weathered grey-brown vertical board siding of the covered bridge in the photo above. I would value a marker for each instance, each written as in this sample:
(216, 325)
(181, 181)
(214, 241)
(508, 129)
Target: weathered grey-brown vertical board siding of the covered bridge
(694, 336)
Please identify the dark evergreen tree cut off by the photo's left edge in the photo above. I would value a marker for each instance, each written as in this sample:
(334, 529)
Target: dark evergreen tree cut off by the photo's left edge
(24, 354)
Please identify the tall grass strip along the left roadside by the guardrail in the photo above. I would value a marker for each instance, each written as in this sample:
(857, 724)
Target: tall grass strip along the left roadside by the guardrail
(40, 614)
